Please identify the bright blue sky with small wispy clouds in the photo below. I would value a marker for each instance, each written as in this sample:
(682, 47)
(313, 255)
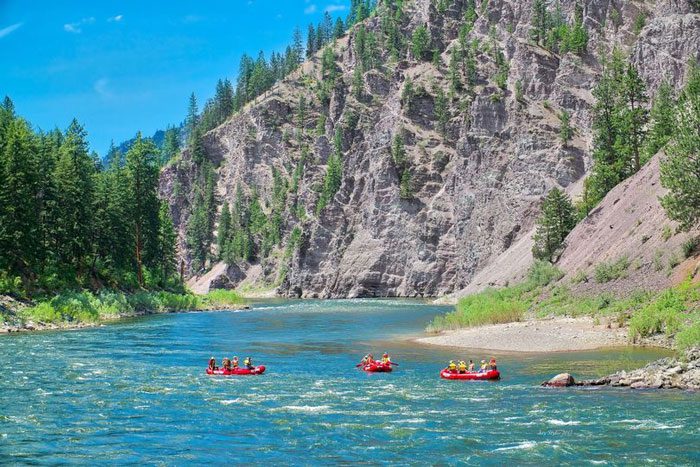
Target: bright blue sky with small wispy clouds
(124, 66)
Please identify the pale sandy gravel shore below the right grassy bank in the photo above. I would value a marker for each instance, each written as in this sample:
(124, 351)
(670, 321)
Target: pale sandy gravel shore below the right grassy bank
(552, 335)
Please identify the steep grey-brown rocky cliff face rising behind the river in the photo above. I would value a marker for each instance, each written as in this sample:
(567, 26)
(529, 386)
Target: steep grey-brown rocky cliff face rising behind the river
(476, 183)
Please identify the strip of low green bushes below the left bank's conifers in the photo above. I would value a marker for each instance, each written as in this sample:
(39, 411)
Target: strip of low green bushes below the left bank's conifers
(74, 309)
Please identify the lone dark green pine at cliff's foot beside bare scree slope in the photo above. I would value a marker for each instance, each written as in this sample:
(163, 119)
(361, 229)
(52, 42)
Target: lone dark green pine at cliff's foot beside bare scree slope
(558, 218)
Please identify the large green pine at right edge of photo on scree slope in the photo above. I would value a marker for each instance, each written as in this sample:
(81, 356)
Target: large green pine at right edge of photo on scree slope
(680, 170)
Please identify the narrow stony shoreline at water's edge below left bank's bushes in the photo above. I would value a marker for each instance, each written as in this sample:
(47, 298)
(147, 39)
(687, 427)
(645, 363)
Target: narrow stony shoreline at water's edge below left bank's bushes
(31, 326)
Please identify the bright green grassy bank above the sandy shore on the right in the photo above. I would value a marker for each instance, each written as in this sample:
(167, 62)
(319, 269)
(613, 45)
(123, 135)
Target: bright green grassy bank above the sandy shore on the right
(675, 311)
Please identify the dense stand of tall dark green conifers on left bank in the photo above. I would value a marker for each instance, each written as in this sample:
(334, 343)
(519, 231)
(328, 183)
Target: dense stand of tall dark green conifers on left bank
(68, 222)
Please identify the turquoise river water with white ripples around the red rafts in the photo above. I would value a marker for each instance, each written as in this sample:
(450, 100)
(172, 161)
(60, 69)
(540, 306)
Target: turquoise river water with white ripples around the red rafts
(136, 392)
